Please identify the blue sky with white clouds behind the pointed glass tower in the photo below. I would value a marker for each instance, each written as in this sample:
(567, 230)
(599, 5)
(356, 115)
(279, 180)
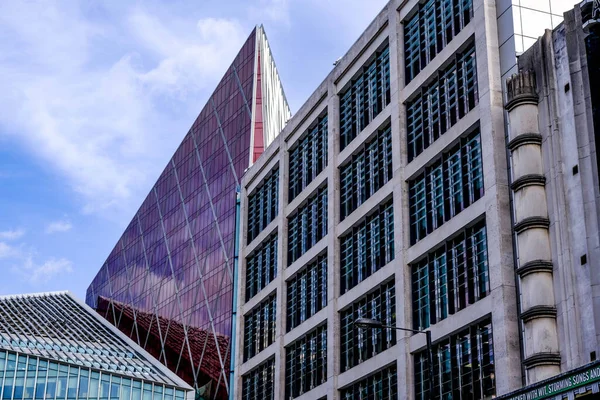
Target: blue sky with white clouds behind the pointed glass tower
(96, 96)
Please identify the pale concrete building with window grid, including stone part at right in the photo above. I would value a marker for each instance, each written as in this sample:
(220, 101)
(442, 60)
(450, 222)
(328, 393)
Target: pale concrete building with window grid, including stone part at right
(402, 199)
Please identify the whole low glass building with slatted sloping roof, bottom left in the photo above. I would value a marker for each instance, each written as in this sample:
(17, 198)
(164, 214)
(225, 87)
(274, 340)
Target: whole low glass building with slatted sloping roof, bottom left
(54, 347)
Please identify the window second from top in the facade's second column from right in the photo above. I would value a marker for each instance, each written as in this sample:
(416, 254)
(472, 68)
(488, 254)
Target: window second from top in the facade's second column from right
(369, 170)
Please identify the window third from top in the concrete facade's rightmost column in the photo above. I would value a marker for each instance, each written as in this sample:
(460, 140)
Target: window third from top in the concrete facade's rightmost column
(446, 187)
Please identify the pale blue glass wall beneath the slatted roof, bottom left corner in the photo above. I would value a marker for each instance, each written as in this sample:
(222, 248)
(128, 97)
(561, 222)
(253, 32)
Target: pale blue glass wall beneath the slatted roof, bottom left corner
(29, 377)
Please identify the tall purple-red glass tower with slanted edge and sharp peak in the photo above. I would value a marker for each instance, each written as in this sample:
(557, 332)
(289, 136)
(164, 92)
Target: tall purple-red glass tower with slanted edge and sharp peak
(168, 282)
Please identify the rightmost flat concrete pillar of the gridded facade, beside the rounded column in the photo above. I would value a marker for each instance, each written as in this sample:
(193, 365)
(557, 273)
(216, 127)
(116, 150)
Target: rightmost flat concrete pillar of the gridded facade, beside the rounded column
(507, 360)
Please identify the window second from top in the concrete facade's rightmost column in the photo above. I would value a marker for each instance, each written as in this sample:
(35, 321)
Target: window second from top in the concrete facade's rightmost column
(438, 106)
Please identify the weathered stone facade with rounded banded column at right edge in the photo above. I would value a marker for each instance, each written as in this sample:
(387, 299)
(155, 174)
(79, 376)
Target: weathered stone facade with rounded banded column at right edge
(551, 109)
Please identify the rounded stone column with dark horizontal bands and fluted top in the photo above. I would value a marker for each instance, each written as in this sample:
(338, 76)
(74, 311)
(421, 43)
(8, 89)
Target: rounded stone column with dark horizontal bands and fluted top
(531, 229)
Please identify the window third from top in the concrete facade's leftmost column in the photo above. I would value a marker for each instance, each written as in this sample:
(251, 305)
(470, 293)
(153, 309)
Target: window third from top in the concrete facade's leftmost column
(259, 327)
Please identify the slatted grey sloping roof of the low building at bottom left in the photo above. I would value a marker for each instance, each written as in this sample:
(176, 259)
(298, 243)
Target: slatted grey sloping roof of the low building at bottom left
(58, 327)
